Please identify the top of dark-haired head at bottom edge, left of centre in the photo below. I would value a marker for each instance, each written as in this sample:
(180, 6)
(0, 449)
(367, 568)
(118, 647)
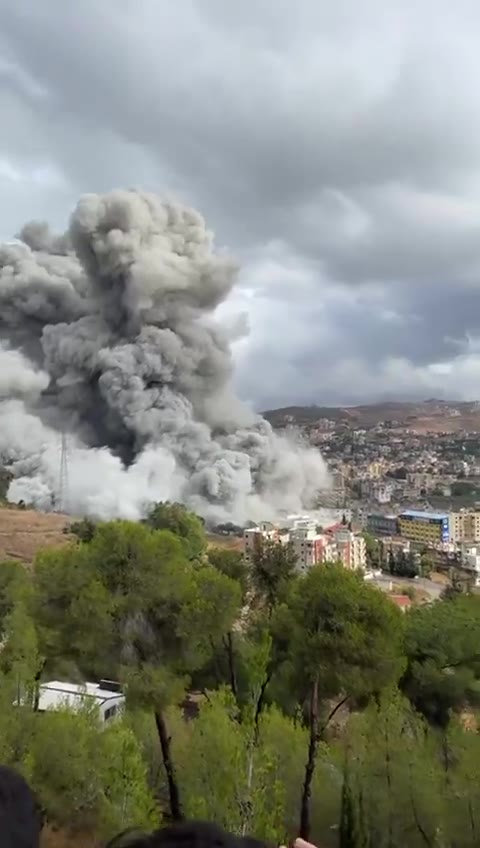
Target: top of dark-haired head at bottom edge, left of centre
(190, 834)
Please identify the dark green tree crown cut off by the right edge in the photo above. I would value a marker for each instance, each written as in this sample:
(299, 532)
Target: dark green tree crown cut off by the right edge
(442, 646)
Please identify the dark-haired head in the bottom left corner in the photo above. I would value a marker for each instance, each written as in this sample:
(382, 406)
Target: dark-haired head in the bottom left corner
(20, 816)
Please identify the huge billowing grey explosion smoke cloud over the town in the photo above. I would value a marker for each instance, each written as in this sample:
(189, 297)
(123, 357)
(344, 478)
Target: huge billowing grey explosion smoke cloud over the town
(109, 333)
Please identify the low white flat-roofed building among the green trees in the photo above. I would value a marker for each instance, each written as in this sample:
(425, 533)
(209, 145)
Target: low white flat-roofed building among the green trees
(105, 695)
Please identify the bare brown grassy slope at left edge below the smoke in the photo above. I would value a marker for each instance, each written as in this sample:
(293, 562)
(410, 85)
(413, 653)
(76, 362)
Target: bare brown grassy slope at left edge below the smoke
(24, 532)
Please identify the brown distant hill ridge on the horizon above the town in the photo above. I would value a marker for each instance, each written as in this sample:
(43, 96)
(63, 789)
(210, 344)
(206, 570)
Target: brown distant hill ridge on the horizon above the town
(421, 416)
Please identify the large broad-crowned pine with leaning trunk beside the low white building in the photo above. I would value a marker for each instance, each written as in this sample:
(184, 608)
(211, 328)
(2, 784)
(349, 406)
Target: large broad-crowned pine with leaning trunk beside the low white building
(130, 605)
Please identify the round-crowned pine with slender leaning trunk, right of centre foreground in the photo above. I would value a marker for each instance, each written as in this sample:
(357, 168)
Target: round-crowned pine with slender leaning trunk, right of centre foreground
(345, 643)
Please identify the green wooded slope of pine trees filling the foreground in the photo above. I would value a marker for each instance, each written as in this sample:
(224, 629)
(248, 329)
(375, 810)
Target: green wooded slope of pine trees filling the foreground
(270, 703)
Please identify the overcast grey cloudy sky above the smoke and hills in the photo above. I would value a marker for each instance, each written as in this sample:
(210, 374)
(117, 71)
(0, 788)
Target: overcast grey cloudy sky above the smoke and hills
(334, 148)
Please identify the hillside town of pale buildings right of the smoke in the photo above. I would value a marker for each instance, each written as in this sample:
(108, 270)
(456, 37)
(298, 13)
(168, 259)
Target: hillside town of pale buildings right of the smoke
(405, 493)
